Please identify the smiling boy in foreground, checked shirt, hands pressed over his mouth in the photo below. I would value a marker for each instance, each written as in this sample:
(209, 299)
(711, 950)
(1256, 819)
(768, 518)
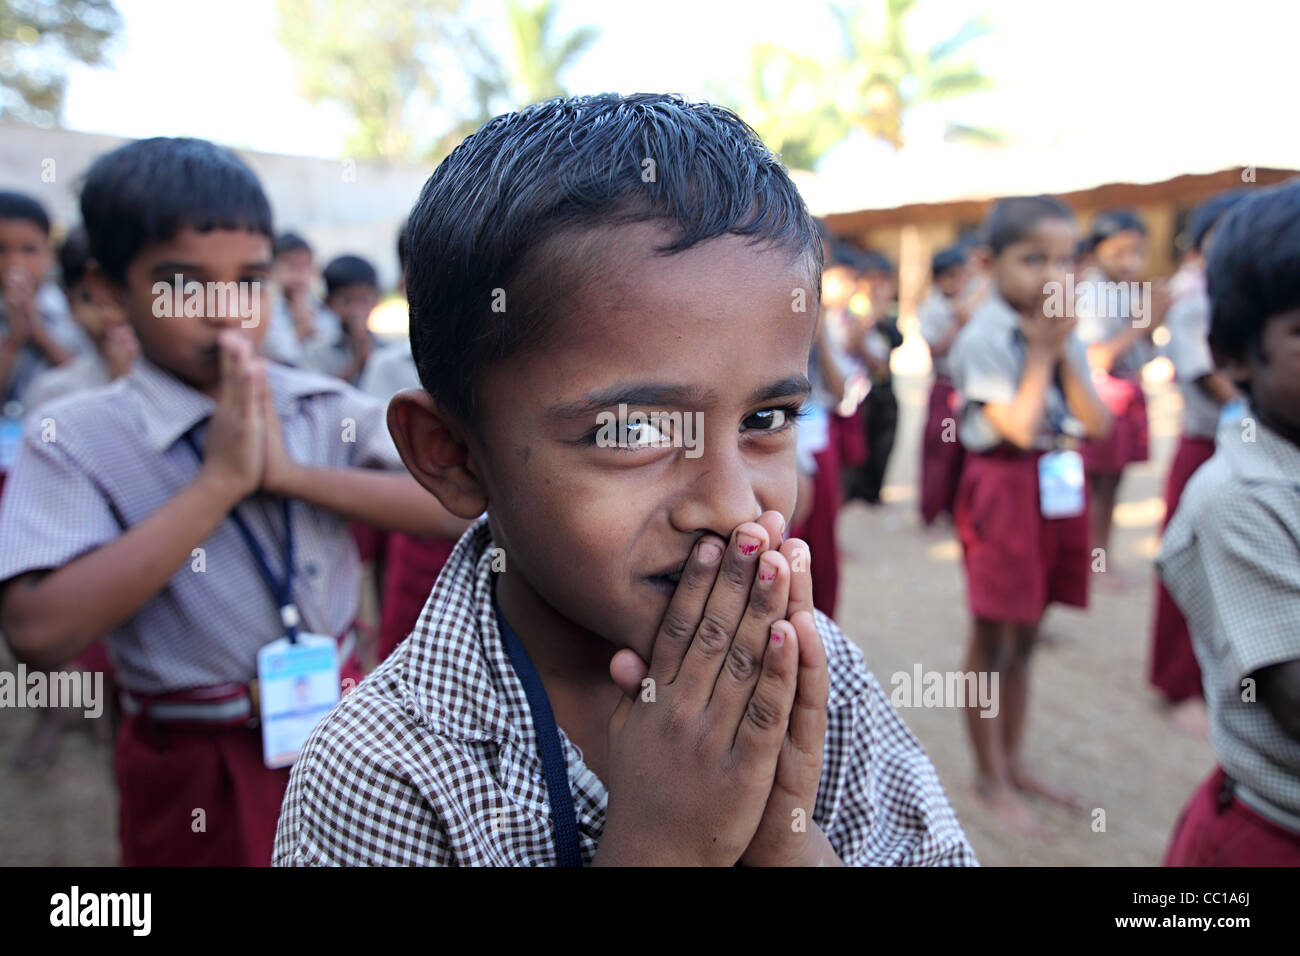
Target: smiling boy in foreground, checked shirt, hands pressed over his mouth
(521, 724)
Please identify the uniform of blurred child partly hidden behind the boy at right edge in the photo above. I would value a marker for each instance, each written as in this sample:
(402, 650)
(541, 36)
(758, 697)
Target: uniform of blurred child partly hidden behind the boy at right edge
(1173, 663)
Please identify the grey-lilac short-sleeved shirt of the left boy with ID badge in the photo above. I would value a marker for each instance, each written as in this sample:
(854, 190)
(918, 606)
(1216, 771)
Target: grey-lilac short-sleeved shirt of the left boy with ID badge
(97, 464)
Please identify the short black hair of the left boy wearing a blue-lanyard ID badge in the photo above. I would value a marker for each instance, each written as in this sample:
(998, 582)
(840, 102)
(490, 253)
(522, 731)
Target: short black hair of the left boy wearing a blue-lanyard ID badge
(148, 192)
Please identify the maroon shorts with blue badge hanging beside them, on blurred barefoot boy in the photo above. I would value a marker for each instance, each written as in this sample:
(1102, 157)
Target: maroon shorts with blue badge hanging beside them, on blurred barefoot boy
(1017, 561)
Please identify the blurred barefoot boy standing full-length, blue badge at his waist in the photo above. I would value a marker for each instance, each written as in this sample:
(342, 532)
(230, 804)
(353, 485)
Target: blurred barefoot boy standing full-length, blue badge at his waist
(1021, 511)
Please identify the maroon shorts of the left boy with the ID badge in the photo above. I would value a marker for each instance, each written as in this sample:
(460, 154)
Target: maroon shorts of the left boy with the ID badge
(167, 772)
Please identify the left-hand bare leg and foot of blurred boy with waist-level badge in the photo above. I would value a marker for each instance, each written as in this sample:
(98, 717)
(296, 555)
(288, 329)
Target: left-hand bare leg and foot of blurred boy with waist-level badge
(995, 788)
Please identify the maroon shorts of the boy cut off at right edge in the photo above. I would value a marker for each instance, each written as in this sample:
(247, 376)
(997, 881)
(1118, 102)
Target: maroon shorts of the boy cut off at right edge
(1225, 833)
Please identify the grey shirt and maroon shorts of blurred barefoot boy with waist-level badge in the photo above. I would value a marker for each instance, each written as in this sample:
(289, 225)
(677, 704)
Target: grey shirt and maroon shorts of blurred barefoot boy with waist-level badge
(1017, 561)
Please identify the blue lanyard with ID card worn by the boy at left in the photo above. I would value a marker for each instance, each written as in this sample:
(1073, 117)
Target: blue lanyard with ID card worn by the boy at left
(298, 676)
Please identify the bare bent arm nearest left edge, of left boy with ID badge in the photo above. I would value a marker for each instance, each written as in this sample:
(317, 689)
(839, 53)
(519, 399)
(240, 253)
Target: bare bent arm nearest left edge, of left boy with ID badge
(51, 617)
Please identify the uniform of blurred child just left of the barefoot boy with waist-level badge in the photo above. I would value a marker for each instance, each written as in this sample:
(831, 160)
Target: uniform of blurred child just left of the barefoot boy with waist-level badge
(942, 455)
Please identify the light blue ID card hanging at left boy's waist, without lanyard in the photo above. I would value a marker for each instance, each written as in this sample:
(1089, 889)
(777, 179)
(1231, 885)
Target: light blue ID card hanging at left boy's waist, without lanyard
(297, 685)
